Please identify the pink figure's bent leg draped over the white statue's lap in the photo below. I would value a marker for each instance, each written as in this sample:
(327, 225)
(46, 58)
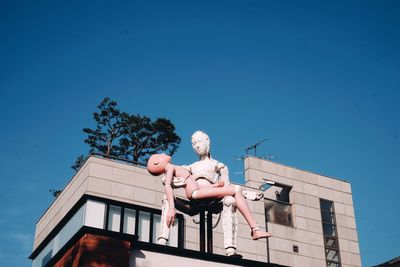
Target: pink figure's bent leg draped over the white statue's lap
(241, 204)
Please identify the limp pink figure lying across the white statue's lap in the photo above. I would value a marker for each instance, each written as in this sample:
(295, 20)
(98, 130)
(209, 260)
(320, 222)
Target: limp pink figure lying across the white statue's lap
(160, 163)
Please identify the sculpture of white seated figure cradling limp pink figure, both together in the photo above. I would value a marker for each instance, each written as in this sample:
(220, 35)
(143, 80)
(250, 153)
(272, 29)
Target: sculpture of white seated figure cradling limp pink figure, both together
(204, 179)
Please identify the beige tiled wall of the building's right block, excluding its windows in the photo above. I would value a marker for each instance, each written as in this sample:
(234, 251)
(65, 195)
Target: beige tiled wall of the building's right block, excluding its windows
(307, 189)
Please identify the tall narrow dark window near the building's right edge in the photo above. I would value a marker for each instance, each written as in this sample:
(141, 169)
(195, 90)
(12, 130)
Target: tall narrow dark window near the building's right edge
(330, 233)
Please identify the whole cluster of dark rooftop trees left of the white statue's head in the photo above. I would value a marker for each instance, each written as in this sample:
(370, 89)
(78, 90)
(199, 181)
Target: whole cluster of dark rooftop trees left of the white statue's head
(133, 137)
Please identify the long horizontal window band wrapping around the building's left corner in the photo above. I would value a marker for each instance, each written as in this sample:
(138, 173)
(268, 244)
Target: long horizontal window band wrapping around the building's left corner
(109, 215)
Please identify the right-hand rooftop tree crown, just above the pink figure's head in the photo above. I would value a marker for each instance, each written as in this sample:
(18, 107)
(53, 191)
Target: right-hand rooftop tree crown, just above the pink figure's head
(143, 137)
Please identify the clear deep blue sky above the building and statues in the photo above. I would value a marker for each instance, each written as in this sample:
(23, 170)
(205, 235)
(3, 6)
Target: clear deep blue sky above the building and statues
(319, 79)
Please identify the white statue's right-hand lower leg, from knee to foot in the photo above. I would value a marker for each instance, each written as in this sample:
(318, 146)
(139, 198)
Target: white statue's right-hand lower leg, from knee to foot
(229, 225)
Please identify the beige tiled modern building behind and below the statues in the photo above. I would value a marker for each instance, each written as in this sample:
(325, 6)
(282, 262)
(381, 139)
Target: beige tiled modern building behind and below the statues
(109, 212)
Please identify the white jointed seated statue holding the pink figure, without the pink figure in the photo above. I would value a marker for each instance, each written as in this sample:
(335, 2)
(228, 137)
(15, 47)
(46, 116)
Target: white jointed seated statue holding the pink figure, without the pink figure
(207, 172)
